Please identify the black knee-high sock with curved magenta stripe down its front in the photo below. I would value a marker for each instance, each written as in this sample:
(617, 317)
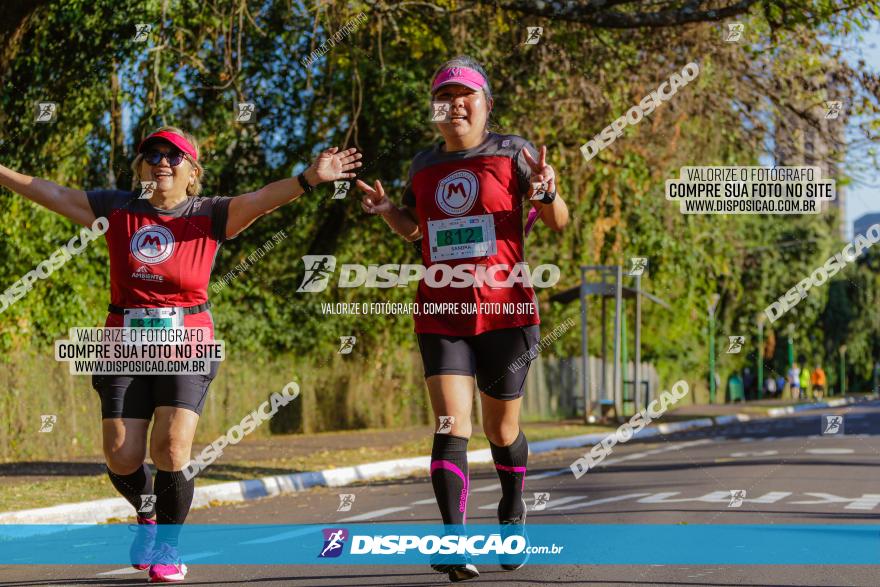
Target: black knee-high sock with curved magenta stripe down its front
(449, 476)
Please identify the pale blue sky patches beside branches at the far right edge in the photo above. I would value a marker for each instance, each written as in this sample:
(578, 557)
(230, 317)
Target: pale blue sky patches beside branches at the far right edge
(864, 197)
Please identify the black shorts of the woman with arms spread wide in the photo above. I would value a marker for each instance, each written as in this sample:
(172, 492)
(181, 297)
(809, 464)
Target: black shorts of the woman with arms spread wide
(136, 396)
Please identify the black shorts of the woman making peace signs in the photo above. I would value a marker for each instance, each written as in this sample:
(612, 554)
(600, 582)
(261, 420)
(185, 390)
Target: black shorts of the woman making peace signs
(499, 358)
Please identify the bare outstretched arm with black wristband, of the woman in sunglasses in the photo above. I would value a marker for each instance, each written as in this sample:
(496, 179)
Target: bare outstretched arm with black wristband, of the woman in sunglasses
(329, 166)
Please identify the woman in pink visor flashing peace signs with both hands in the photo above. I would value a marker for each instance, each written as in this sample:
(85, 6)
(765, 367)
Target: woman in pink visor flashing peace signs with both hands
(465, 199)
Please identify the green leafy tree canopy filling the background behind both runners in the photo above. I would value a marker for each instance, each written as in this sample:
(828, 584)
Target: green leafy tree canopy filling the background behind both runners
(370, 90)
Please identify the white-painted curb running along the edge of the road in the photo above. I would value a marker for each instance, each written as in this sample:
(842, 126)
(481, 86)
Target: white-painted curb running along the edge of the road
(99, 511)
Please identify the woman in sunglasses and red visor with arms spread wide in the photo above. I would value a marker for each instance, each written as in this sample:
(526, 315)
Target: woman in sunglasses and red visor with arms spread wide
(162, 250)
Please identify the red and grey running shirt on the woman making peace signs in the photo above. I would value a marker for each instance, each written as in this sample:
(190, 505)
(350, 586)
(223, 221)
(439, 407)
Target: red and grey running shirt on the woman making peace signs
(462, 197)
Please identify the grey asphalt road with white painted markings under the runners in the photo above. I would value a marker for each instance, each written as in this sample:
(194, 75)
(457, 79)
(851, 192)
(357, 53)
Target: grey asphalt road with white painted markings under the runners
(791, 473)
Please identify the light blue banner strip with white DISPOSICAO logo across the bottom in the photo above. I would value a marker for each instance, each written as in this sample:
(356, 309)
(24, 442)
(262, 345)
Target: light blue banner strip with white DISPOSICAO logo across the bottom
(382, 544)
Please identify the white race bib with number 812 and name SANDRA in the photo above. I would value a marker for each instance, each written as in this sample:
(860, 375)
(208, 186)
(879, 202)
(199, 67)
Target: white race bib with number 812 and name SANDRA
(462, 238)
